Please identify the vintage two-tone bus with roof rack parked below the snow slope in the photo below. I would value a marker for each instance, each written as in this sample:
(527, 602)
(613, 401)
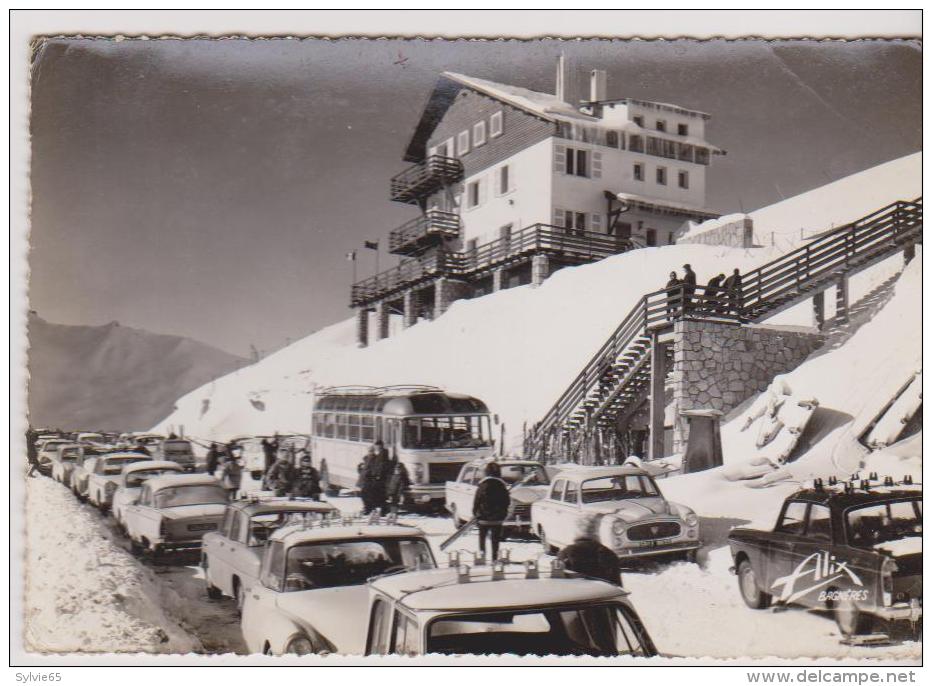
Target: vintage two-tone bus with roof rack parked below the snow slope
(432, 432)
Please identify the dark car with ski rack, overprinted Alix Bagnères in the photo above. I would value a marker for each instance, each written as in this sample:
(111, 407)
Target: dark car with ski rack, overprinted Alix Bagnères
(853, 548)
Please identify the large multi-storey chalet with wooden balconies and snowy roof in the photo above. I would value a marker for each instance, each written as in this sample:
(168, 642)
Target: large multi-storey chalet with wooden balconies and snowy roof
(513, 184)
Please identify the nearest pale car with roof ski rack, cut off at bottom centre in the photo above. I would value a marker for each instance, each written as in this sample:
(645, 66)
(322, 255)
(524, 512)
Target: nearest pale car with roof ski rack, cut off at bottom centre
(501, 609)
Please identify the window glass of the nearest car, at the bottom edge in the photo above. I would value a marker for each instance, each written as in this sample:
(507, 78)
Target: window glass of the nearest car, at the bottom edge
(597, 631)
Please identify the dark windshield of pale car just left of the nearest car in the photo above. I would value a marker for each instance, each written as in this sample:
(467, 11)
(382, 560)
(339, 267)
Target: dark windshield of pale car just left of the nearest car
(347, 563)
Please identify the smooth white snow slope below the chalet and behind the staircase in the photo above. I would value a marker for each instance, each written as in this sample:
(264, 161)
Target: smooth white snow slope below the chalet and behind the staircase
(517, 349)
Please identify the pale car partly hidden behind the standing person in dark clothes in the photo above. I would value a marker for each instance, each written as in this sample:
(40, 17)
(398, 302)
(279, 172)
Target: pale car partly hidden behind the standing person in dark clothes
(527, 480)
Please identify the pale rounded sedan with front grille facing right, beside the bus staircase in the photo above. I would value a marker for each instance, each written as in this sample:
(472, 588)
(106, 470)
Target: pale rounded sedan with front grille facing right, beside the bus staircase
(637, 521)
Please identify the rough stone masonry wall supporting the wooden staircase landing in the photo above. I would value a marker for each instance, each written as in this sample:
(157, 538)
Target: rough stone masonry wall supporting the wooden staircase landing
(718, 365)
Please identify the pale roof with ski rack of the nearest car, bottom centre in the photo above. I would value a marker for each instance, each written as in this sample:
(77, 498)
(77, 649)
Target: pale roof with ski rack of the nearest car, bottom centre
(441, 590)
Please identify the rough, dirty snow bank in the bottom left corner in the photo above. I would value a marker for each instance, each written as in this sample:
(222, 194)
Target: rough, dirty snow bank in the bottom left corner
(101, 604)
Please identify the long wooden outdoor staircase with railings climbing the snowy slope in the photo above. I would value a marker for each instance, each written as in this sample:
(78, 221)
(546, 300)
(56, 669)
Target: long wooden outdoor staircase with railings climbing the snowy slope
(615, 381)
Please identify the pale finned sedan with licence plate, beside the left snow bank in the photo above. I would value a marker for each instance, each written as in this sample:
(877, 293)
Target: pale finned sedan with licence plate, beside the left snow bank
(173, 512)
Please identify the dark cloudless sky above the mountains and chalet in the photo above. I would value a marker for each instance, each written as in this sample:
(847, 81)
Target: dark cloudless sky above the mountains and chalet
(211, 188)
